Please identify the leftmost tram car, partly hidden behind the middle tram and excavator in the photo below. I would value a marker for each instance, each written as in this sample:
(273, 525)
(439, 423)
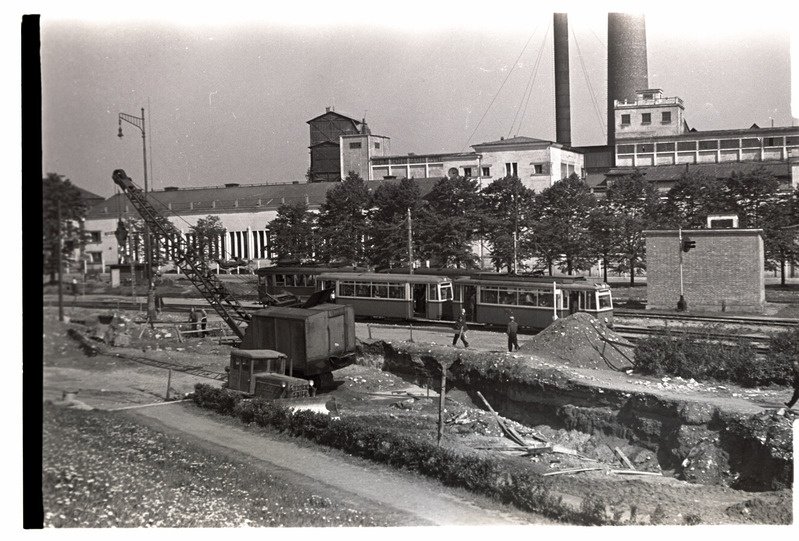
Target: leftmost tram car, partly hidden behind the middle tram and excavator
(298, 280)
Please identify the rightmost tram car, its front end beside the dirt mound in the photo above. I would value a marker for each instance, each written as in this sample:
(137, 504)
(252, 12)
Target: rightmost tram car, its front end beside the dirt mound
(535, 302)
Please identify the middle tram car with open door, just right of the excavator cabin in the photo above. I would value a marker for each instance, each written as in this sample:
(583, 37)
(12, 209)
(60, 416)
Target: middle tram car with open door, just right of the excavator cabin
(392, 296)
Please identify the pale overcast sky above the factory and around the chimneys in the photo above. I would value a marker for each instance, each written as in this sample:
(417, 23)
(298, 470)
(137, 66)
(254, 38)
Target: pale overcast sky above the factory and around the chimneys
(227, 96)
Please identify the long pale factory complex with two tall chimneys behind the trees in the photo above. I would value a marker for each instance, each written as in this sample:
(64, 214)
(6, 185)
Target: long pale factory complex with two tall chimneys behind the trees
(647, 131)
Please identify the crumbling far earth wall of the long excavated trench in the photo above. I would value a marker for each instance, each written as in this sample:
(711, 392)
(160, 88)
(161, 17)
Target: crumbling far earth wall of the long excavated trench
(703, 440)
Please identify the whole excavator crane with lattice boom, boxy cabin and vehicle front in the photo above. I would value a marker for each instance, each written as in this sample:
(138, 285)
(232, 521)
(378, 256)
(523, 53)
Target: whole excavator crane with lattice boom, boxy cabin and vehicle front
(283, 352)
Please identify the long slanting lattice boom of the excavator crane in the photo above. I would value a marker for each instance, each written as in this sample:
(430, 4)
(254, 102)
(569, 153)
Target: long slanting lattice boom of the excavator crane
(193, 267)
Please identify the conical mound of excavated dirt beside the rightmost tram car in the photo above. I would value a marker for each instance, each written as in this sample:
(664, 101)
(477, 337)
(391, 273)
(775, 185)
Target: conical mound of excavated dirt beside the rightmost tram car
(581, 341)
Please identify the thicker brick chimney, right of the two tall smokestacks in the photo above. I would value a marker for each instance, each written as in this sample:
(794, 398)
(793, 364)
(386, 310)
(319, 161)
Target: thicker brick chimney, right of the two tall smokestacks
(627, 65)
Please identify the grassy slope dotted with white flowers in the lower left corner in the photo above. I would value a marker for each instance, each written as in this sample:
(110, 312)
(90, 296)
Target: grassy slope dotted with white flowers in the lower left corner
(103, 470)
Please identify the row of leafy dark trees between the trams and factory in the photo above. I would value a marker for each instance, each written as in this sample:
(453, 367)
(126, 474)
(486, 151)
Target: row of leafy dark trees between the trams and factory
(565, 226)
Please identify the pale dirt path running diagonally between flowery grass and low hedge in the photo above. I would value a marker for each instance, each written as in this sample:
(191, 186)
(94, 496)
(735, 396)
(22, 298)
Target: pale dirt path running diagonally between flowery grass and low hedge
(349, 478)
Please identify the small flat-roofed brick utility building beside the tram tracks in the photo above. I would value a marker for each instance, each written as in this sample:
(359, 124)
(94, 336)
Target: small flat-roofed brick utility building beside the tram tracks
(723, 271)
